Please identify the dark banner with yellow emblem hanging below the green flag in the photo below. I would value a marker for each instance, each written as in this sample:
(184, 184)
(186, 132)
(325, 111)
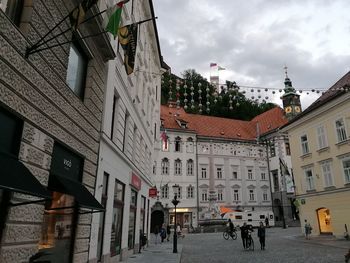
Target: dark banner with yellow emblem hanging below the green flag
(128, 39)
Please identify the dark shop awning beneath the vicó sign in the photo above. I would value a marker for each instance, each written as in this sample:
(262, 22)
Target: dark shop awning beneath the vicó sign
(71, 187)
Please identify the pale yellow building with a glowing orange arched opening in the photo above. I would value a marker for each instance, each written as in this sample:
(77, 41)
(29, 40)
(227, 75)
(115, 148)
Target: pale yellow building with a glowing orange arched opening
(320, 147)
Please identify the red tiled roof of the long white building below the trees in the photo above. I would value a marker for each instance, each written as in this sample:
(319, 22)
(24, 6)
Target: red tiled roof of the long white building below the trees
(223, 127)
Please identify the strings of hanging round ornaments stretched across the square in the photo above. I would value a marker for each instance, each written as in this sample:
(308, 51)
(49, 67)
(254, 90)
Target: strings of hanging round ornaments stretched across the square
(236, 93)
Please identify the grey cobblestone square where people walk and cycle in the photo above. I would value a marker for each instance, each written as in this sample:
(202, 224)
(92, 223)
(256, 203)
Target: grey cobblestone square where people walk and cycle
(282, 245)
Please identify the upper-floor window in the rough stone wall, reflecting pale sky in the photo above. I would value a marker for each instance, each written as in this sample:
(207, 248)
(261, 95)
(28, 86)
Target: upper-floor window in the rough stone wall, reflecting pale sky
(76, 70)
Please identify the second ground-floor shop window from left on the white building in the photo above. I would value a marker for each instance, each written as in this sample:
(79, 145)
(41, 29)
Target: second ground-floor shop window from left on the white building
(117, 218)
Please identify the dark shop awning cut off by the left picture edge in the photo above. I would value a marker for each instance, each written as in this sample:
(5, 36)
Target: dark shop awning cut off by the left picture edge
(14, 176)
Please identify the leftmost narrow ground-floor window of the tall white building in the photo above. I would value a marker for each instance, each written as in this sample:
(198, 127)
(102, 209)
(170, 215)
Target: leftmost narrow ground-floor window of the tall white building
(103, 216)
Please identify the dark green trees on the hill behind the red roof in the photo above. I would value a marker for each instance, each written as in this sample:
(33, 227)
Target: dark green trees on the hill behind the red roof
(229, 102)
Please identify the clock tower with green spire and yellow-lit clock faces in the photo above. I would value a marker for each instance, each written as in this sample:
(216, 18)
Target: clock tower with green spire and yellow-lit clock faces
(290, 99)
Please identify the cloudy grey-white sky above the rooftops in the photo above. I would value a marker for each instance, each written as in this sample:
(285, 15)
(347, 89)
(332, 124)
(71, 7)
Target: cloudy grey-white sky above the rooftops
(255, 39)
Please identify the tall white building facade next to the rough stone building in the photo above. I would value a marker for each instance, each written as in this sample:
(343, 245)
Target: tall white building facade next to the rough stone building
(130, 128)
